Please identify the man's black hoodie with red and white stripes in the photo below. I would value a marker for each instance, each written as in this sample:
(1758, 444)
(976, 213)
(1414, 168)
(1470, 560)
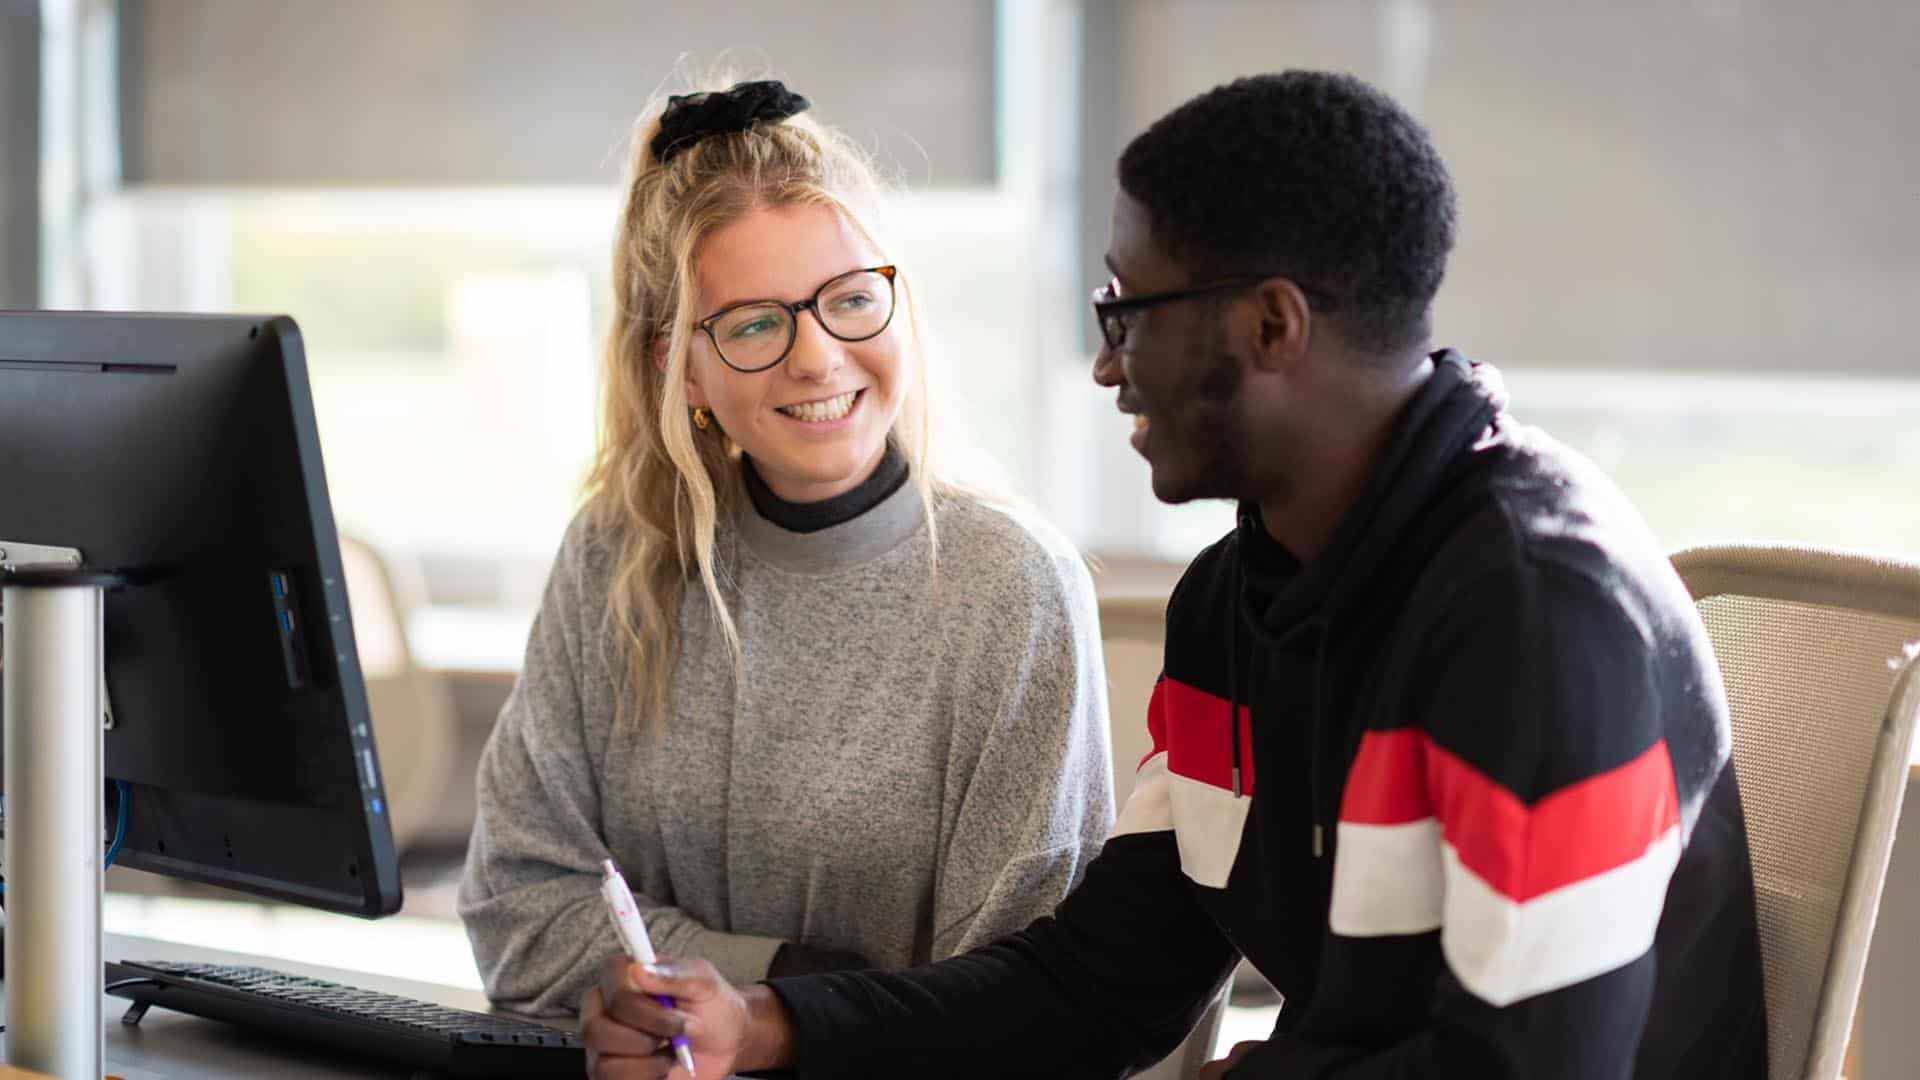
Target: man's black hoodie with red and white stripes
(1458, 789)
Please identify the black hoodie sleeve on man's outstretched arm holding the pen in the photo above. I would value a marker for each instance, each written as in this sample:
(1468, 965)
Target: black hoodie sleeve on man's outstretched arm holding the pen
(1107, 985)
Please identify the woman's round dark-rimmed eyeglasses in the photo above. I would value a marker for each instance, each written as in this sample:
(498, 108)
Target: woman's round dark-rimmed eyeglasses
(759, 333)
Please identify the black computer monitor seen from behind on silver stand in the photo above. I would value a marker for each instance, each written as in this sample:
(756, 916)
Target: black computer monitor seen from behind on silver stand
(181, 453)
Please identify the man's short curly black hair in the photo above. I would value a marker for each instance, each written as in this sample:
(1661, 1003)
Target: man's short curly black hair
(1308, 176)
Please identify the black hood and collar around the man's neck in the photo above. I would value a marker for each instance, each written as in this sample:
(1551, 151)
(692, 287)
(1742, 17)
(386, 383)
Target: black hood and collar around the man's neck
(1433, 437)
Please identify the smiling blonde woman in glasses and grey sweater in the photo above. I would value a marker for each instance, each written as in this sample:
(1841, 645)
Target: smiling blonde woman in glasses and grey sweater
(823, 708)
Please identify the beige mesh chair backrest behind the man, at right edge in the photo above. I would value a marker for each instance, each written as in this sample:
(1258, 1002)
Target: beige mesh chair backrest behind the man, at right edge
(1813, 649)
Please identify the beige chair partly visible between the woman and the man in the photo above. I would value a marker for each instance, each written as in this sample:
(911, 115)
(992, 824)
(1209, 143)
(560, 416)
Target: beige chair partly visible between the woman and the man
(1134, 635)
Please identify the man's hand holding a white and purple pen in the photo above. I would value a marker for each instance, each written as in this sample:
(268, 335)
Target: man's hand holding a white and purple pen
(627, 1029)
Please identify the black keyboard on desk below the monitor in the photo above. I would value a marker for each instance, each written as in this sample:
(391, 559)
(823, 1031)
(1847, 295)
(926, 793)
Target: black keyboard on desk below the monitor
(356, 1021)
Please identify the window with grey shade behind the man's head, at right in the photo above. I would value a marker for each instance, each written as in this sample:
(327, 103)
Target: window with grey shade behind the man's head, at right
(1687, 232)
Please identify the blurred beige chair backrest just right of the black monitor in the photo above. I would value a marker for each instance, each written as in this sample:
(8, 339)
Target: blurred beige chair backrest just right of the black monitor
(410, 706)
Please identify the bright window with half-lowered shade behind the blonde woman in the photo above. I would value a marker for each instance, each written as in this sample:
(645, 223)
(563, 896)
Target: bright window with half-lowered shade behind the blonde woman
(433, 189)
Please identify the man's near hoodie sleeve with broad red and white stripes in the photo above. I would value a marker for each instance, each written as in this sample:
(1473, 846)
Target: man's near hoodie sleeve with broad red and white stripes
(1529, 818)
